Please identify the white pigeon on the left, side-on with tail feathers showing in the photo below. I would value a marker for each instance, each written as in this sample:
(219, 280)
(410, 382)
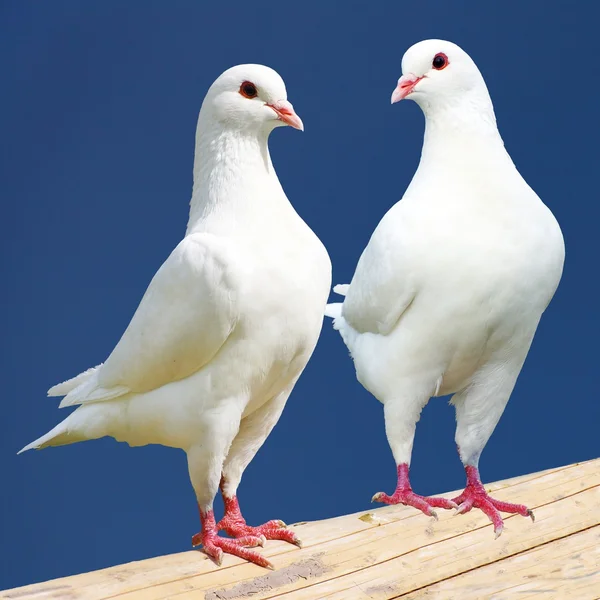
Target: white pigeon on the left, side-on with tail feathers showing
(228, 322)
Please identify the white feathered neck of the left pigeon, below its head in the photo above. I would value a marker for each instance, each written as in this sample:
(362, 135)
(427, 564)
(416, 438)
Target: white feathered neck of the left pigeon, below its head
(230, 168)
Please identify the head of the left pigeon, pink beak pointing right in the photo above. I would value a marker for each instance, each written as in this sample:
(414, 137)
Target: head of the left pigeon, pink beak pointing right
(250, 97)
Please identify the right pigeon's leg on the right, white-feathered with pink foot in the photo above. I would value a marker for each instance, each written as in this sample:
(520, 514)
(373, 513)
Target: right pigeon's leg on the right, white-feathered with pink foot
(478, 410)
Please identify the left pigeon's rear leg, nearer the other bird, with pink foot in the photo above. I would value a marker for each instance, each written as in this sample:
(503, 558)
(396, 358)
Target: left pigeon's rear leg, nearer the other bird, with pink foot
(252, 433)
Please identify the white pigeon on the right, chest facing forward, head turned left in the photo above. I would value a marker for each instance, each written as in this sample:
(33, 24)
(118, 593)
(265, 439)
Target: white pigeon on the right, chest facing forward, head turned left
(447, 295)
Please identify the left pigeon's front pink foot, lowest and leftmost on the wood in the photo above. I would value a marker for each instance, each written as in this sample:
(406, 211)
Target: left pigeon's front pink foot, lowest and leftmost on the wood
(214, 546)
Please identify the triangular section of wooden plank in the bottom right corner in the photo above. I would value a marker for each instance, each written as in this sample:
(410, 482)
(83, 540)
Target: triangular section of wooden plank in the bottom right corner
(566, 568)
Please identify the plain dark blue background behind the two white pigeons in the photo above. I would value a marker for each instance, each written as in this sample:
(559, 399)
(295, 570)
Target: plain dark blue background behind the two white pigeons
(97, 117)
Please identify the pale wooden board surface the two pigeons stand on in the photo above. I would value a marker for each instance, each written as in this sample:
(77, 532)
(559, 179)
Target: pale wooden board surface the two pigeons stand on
(391, 552)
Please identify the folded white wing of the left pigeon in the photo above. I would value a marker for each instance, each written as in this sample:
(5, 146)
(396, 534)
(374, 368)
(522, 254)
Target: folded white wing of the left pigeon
(186, 315)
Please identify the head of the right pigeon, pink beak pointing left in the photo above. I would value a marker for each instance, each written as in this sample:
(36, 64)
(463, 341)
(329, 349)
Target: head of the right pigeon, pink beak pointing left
(437, 73)
